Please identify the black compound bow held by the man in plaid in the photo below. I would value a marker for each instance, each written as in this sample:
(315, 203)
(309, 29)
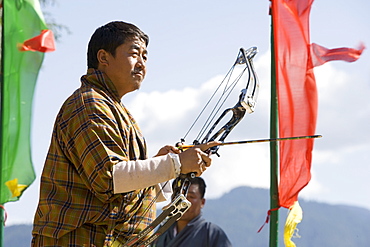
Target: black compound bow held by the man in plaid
(246, 103)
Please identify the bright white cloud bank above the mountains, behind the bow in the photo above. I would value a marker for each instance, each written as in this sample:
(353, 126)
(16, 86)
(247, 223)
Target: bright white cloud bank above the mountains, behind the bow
(163, 115)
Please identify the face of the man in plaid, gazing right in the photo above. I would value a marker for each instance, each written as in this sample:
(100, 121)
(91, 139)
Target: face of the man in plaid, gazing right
(127, 68)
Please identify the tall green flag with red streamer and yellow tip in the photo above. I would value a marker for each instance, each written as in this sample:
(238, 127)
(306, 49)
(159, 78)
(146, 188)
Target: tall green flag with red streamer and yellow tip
(24, 36)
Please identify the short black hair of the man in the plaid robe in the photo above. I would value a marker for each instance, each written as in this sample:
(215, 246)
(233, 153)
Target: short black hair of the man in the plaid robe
(109, 37)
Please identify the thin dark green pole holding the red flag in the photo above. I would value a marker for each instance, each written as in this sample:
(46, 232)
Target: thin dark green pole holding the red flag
(274, 198)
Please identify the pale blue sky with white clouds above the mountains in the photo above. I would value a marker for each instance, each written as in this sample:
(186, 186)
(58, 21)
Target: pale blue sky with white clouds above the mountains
(192, 46)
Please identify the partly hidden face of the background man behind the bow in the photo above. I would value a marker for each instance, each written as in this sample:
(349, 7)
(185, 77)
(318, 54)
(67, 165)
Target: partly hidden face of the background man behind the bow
(197, 203)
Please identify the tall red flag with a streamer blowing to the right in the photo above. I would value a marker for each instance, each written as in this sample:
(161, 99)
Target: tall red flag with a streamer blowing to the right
(296, 90)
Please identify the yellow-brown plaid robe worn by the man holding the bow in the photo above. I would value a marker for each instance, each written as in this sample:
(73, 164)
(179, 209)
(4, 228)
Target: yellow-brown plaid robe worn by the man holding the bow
(92, 132)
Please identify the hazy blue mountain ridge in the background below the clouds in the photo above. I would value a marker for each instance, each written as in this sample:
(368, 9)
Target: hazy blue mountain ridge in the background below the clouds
(243, 210)
